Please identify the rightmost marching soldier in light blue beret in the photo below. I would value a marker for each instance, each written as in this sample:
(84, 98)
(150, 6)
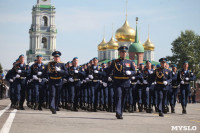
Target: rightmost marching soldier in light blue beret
(184, 78)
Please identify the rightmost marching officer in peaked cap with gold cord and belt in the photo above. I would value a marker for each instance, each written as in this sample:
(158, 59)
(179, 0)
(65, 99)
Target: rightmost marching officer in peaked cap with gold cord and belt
(163, 78)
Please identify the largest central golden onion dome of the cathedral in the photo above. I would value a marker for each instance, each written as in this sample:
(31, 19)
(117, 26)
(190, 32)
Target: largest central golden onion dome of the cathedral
(125, 33)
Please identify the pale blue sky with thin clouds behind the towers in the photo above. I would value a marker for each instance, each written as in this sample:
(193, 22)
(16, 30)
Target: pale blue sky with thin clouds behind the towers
(80, 24)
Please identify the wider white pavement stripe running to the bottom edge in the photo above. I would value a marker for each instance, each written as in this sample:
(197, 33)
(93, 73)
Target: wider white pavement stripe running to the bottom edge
(6, 127)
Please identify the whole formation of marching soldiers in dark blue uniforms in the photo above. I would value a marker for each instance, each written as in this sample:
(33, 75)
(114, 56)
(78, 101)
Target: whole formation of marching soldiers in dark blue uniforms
(117, 86)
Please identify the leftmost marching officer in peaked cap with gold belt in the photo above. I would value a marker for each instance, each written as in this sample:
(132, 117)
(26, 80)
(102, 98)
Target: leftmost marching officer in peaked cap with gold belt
(56, 70)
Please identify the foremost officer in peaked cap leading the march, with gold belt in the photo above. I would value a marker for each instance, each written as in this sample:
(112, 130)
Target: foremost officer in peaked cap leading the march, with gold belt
(123, 69)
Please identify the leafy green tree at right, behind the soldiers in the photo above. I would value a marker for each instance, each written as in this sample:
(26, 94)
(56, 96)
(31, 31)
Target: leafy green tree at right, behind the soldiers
(186, 48)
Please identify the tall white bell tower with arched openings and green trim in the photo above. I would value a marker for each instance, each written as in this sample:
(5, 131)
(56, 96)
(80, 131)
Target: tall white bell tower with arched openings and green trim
(43, 31)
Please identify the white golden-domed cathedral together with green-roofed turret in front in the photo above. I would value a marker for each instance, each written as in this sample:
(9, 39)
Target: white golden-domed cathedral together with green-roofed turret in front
(126, 36)
